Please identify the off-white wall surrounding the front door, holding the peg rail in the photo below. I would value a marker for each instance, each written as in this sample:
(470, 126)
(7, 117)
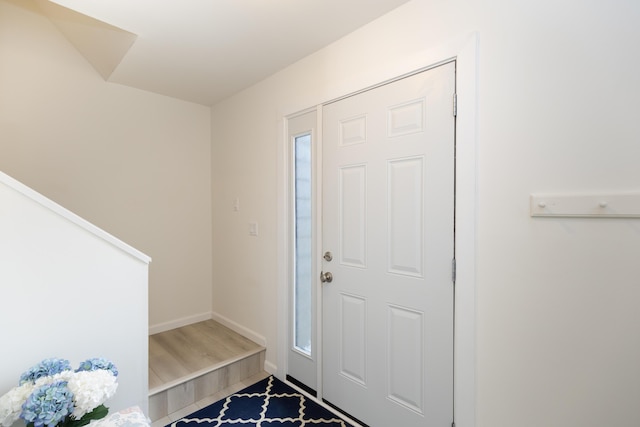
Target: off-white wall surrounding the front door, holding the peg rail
(557, 341)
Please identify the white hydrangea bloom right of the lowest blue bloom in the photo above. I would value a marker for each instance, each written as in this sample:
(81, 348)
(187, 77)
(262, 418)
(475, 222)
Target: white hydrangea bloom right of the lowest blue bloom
(91, 389)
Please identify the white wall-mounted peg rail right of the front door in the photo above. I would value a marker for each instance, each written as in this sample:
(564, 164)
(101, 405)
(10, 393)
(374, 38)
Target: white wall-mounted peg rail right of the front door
(612, 205)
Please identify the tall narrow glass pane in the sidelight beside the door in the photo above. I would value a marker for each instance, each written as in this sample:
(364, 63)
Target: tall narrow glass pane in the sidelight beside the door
(303, 280)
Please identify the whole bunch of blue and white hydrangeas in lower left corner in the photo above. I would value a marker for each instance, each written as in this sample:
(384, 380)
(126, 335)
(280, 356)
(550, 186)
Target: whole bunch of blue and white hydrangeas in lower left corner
(52, 394)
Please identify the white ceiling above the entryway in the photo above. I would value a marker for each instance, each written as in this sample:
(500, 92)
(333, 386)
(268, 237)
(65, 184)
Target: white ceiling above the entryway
(206, 50)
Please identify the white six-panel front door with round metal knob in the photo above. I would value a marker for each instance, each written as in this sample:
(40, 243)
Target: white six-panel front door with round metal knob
(388, 222)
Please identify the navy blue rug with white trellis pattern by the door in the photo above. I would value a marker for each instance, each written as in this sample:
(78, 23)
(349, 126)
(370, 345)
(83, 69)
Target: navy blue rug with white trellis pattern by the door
(268, 403)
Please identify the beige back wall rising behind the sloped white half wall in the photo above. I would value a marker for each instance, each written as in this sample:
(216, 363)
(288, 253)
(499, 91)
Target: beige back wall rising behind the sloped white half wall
(134, 163)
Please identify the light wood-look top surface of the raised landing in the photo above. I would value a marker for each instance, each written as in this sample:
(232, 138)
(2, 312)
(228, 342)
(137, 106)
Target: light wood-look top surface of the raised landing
(184, 353)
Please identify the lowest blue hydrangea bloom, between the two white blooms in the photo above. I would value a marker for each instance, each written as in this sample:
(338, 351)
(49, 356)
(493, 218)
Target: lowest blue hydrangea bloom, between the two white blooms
(48, 405)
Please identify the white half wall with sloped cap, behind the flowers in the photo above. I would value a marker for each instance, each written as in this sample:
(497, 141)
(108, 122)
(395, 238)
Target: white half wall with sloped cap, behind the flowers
(69, 290)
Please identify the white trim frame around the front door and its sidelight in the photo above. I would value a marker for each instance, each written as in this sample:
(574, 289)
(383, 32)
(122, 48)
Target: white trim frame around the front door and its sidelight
(465, 52)
